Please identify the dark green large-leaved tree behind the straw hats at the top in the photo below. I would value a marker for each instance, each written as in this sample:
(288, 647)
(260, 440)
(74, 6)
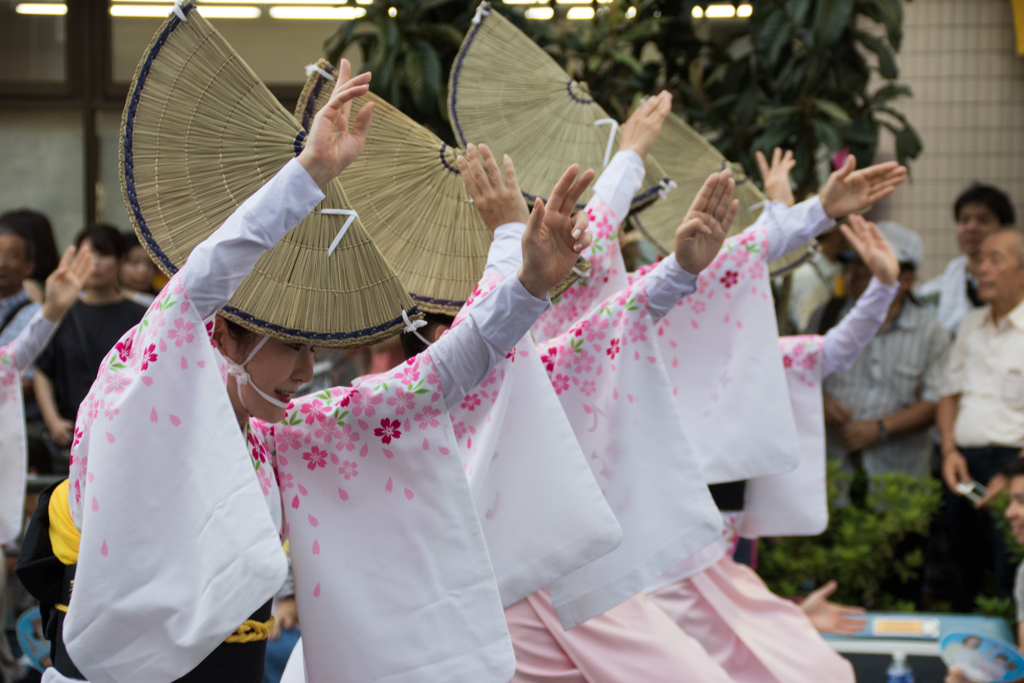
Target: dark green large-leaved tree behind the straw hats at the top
(796, 75)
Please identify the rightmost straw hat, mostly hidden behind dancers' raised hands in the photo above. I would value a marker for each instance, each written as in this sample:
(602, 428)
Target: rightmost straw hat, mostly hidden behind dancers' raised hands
(690, 159)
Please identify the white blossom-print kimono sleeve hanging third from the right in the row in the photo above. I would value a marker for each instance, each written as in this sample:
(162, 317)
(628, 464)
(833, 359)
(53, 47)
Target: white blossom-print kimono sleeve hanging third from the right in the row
(609, 375)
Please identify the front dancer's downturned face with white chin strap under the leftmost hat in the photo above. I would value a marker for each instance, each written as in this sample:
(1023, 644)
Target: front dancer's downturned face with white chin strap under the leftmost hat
(279, 369)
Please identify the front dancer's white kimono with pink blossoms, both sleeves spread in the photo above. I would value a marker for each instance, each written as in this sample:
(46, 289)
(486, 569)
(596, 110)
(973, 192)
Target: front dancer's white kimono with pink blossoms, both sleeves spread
(183, 524)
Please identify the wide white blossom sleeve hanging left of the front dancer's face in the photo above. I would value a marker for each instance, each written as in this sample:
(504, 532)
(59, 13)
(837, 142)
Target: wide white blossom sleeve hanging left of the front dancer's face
(178, 546)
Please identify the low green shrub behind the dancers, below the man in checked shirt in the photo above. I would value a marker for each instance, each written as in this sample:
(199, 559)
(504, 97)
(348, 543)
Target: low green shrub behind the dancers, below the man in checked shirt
(861, 547)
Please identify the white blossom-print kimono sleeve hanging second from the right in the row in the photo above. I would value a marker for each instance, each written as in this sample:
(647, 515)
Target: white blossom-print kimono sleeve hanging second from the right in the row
(721, 352)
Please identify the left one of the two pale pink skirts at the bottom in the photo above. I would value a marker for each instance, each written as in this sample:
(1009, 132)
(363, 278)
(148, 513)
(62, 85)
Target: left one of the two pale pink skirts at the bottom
(635, 643)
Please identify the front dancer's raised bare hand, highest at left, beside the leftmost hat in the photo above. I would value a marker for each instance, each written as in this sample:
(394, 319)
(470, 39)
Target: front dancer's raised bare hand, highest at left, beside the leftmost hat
(331, 147)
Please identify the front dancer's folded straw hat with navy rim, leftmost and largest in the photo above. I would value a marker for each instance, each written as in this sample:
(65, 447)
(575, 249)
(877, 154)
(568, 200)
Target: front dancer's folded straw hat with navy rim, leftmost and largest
(200, 135)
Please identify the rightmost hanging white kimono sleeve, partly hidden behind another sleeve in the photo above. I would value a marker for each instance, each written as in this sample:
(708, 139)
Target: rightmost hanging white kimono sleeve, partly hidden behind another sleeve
(795, 503)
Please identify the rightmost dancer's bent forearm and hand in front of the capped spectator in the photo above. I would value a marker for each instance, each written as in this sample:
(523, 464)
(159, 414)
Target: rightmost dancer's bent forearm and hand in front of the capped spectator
(846, 341)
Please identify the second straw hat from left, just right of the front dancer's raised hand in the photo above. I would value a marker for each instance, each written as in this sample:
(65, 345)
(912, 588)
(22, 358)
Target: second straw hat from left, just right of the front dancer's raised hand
(410, 196)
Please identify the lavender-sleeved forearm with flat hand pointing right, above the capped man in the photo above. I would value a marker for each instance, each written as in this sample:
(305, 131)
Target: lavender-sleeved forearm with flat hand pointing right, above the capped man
(847, 192)
